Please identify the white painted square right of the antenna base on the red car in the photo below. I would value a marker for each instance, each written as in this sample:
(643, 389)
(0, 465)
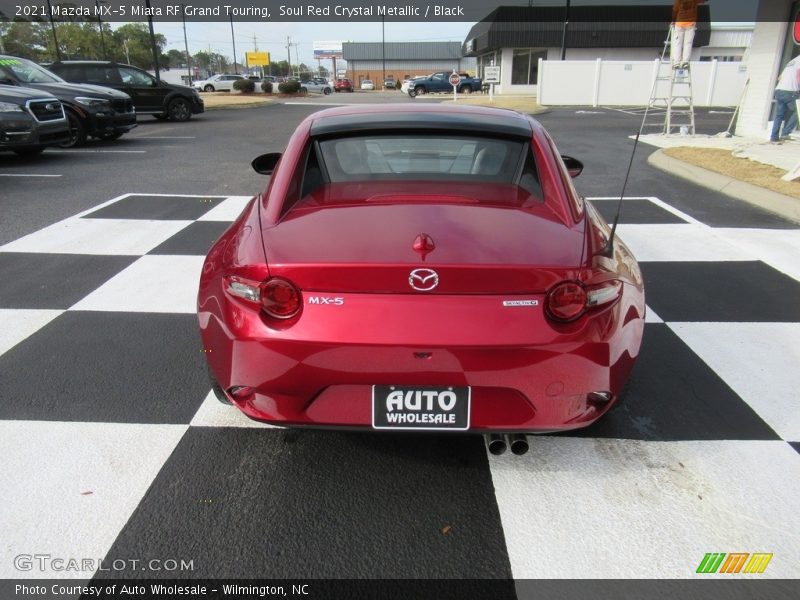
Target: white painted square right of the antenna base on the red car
(675, 242)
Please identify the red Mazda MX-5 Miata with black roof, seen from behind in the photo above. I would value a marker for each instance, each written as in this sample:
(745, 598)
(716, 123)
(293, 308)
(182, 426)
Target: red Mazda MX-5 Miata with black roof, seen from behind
(421, 269)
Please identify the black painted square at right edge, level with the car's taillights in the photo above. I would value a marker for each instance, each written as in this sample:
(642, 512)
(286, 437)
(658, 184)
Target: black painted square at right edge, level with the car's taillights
(721, 291)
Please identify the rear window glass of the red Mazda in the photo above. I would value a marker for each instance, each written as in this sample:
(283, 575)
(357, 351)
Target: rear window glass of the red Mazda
(422, 157)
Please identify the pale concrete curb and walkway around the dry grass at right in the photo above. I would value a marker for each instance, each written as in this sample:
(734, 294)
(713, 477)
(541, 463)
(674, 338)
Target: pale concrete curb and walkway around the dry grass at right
(784, 156)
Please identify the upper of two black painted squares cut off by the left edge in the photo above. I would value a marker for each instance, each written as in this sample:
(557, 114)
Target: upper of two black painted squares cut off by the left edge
(54, 281)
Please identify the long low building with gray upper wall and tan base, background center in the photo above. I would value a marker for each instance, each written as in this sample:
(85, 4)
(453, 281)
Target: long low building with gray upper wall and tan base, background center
(403, 60)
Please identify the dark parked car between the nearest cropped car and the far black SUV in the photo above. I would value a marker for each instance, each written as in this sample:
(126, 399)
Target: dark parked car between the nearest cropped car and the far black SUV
(91, 110)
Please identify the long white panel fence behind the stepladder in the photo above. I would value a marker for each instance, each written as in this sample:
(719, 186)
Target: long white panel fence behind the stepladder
(629, 83)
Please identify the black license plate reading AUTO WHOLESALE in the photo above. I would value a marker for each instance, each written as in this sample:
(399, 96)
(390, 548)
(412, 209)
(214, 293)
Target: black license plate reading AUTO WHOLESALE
(432, 408)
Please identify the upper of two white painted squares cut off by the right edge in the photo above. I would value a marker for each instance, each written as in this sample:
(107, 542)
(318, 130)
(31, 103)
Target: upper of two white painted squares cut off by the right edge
(778, 248)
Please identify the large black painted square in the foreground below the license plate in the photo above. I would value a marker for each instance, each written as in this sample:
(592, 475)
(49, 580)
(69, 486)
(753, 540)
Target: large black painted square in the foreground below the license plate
(317, 504)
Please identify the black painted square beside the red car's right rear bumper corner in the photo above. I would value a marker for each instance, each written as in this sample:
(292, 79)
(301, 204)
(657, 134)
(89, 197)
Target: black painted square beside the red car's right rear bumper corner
(674, 396)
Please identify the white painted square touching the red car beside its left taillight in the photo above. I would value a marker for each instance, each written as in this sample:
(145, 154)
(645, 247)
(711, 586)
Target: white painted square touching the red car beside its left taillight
(158, 284)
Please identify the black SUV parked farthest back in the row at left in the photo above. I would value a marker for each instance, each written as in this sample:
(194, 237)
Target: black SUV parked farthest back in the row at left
(150, 96)
